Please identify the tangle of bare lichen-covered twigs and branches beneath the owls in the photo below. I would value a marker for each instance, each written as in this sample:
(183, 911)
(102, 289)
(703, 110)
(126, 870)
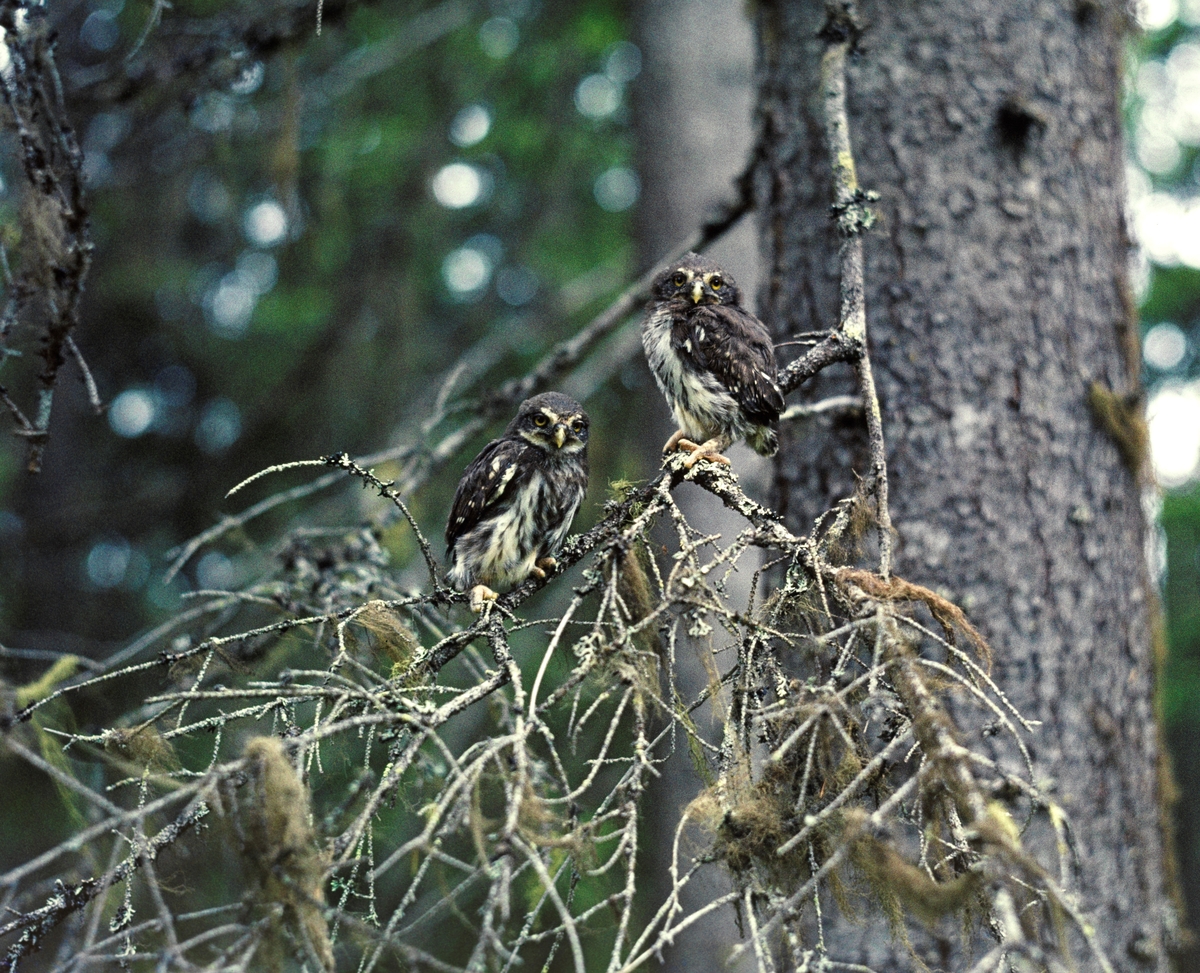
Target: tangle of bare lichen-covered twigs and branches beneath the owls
(836, 774)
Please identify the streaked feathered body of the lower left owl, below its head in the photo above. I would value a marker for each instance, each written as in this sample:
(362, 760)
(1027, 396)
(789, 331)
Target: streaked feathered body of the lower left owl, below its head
(514, 504)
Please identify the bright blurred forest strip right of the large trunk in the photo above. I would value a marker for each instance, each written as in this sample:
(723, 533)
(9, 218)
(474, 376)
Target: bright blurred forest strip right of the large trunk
(1165, 190)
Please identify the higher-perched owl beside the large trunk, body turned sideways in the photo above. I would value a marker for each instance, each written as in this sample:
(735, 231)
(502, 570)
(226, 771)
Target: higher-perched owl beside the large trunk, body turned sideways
(713, 361)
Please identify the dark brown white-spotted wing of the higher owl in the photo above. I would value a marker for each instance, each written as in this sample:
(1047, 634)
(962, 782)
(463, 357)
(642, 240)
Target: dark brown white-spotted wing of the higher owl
(736, 349)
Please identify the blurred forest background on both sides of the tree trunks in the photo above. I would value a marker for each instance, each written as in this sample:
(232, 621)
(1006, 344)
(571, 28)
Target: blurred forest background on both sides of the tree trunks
(296, 236)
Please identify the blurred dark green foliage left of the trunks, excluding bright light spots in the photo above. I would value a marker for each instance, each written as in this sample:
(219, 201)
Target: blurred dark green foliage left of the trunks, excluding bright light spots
(355, 317)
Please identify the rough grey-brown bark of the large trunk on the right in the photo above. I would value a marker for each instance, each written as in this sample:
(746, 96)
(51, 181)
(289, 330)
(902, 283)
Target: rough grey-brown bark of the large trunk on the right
(997, 298)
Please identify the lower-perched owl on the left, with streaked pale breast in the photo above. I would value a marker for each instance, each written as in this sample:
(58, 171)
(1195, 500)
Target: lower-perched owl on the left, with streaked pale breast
(518, 498)
